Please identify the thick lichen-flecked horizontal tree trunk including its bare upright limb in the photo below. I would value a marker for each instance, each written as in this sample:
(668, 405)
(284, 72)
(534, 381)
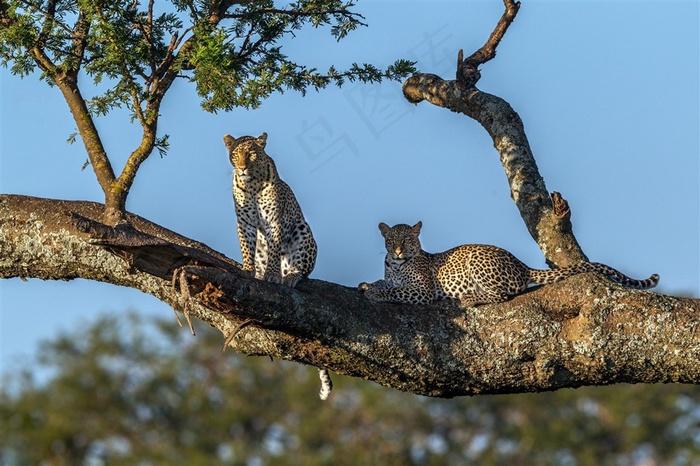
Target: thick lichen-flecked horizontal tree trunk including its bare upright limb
(582, 331)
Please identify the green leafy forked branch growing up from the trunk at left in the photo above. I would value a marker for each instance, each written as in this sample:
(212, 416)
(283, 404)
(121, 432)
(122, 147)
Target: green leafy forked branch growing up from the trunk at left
(133, 53)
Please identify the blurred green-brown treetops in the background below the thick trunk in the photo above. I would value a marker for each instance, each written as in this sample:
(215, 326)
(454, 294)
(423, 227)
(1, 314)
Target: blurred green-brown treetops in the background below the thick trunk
(125, 391)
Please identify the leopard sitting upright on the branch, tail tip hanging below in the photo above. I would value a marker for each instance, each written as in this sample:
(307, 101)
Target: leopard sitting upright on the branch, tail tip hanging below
(276, 242)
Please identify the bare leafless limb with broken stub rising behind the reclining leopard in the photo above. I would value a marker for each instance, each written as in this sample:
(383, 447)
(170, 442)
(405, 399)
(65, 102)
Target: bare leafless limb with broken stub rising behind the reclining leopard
(547, 219)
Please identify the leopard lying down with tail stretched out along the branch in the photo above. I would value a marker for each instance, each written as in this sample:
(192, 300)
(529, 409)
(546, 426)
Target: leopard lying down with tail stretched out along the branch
(472, 273)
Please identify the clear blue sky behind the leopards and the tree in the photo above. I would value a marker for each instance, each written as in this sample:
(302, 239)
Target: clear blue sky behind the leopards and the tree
(608, 91)
